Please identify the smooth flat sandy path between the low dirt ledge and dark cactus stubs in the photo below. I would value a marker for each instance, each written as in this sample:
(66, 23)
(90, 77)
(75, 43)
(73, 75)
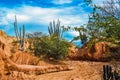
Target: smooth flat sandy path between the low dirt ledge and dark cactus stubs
(83, 70)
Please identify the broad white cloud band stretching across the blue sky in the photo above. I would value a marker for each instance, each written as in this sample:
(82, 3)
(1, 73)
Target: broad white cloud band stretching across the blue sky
(42, 16)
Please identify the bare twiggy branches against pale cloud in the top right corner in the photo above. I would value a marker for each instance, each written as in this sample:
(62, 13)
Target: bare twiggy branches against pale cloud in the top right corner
(111, 8)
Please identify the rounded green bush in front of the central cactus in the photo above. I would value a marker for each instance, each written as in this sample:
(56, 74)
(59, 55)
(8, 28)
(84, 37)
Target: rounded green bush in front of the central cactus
(50, 47)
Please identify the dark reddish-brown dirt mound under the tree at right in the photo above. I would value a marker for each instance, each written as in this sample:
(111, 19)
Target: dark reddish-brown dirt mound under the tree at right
(98, 52)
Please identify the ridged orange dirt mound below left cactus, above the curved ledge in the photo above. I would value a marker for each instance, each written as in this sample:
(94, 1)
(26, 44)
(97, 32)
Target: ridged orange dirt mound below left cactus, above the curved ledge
(29, 59)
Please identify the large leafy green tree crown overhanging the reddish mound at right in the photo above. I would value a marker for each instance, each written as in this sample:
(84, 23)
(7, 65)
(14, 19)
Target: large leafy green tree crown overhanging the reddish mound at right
(104, 22)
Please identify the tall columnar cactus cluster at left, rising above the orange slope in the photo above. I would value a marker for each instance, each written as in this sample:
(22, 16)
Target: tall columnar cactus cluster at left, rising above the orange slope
(20, 34)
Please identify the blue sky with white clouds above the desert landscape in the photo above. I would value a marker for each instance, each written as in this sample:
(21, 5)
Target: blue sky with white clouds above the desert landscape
(37, 14)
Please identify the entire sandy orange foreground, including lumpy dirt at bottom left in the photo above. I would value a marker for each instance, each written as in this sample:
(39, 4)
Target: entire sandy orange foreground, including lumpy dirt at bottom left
(83, 70)
